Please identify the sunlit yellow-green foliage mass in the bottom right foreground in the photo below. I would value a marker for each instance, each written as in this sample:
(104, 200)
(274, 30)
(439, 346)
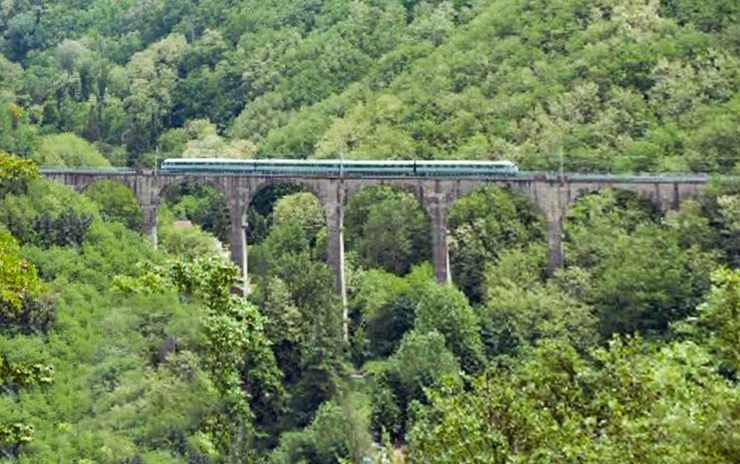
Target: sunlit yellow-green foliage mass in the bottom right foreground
(639, 401)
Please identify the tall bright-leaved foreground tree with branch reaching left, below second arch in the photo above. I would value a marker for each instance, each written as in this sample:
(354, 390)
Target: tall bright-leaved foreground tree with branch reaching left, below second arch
(237, 354)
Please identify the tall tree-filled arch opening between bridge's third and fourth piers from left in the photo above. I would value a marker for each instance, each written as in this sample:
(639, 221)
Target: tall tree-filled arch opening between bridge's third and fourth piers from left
(388, 242)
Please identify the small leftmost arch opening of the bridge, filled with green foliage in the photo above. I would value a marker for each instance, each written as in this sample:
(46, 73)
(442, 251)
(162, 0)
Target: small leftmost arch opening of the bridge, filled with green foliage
(117, 203)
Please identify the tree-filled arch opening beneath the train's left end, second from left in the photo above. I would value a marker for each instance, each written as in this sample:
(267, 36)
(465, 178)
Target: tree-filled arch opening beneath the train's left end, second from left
(193, 220)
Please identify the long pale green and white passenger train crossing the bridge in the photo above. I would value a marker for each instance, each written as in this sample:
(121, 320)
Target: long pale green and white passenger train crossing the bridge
(341, 168)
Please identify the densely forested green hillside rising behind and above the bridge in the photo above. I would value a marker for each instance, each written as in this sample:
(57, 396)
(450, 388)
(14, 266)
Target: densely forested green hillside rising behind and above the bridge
(609, 85)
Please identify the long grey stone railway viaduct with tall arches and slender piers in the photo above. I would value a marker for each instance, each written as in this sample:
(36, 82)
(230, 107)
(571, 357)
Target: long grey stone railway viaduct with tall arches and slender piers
(552, 194)
